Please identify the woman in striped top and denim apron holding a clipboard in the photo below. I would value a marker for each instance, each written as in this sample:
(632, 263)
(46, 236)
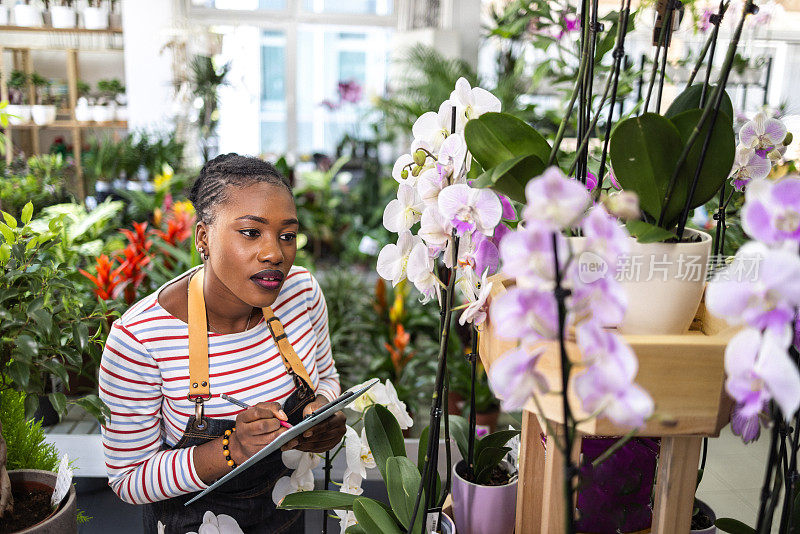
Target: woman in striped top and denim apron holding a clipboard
(213, 331)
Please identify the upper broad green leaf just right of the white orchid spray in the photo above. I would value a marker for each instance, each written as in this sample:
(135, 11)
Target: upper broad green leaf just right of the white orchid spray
(494, 138)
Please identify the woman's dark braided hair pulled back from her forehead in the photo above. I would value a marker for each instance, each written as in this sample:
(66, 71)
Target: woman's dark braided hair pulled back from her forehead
(211, 186)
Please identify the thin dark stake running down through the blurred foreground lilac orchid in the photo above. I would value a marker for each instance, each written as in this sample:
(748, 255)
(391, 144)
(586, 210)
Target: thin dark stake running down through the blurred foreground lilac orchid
(570, 470)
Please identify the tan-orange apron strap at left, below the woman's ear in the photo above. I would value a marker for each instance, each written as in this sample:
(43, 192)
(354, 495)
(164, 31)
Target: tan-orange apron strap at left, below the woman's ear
(198, 340)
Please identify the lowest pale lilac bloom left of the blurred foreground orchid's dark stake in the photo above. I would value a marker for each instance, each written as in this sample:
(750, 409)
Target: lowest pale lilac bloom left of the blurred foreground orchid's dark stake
(514, 378)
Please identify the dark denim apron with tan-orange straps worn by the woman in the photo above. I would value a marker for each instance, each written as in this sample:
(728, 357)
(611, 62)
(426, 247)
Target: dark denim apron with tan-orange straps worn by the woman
(247, 497)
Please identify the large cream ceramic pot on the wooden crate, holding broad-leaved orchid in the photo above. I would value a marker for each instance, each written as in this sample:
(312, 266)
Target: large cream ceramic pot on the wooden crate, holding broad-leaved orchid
(664, 283)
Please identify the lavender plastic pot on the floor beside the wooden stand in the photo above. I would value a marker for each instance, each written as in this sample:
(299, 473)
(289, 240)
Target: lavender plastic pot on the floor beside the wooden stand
(483, 509)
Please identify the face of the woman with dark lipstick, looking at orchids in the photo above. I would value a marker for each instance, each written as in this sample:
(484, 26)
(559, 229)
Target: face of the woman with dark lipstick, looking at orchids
(251, 243)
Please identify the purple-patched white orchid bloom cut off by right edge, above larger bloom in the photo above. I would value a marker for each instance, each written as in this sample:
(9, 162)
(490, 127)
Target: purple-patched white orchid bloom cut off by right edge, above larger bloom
(771, 213)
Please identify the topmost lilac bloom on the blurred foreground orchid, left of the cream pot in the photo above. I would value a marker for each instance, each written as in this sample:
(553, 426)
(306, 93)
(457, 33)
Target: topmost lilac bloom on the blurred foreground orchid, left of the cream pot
(555, 200)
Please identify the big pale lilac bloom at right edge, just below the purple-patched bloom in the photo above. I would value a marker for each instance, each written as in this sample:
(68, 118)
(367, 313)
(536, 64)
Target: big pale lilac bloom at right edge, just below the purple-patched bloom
(759, 288)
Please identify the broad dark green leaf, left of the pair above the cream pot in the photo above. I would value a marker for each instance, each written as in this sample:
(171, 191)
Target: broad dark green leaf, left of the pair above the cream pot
(643, 153)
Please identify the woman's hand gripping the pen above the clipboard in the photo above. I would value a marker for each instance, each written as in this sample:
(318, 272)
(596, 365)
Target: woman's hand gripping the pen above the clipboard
(256, 427)
